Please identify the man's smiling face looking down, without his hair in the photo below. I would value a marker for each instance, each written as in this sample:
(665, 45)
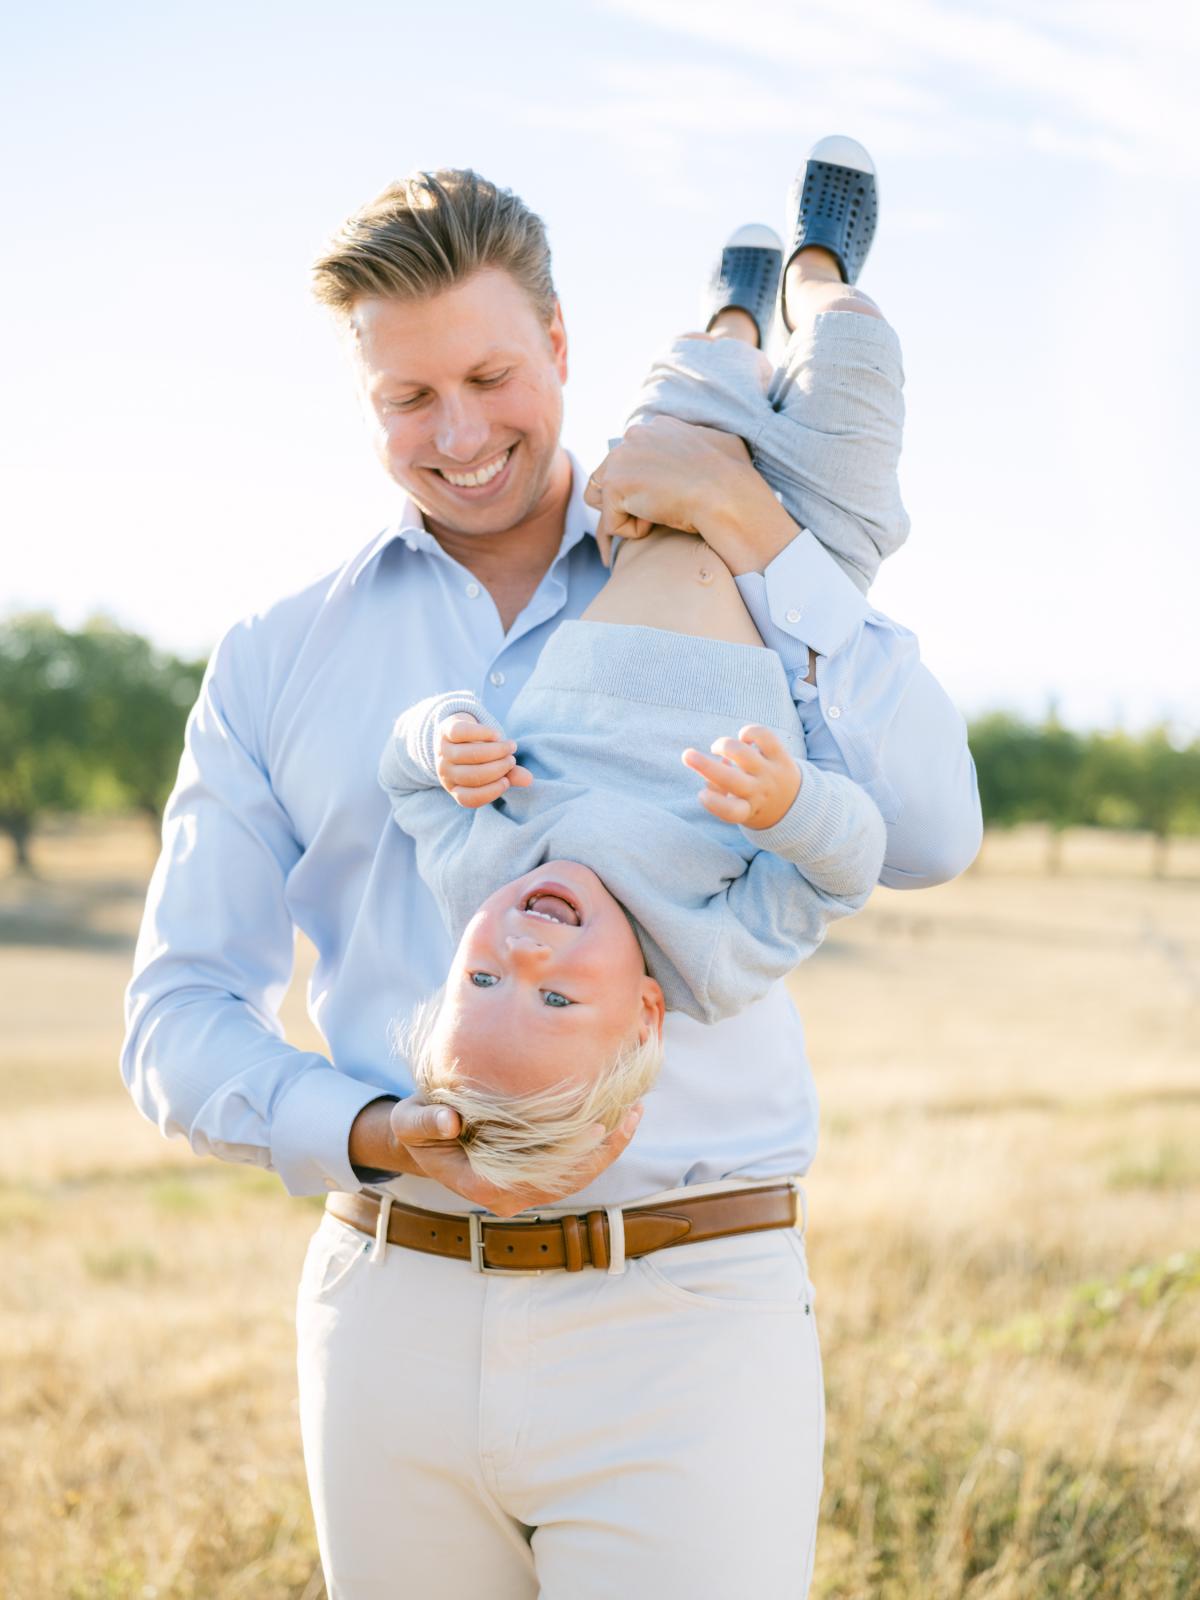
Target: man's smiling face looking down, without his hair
(465, 390)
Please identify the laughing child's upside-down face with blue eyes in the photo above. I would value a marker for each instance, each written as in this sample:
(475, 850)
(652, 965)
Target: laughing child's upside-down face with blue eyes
(548, 985)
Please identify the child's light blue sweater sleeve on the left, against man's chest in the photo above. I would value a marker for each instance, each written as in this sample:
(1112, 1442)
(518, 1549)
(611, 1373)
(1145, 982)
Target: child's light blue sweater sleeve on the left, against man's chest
(422, 807)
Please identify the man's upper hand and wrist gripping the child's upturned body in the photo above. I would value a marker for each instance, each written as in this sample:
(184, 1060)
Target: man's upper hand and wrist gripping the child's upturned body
(694, 479)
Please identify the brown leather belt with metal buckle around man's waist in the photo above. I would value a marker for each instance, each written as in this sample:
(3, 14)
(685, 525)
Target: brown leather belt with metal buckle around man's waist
(569, 1242)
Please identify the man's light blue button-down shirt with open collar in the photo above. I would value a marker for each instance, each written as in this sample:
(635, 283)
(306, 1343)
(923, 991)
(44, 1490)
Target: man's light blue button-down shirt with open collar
(278, 823)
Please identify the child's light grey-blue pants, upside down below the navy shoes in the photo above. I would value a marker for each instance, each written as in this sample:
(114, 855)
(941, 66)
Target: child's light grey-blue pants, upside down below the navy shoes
(825, 428)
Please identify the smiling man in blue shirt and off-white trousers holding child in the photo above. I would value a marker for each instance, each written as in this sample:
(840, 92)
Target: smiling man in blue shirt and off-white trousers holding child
(650, 1423)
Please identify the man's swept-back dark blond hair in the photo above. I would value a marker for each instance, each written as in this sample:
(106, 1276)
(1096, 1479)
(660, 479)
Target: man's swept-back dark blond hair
(428, 233)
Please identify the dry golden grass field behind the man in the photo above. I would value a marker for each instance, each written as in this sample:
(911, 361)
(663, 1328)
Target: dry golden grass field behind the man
(1006, 1239)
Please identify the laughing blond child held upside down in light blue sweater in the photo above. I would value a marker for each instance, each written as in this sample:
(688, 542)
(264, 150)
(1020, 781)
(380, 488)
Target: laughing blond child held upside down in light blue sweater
(590, 889)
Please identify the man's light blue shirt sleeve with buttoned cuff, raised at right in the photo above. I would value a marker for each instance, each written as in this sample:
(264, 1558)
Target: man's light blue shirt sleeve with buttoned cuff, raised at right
(874, 714)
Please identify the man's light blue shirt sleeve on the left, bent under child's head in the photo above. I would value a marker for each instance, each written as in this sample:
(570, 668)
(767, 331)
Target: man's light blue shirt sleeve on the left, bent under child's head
(204, 1055)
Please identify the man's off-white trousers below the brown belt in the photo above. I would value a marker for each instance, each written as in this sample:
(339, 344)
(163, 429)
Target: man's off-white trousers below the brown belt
(647, 1434)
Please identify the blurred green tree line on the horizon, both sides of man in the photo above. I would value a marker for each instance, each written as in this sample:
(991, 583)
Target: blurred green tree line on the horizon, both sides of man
(94, 721)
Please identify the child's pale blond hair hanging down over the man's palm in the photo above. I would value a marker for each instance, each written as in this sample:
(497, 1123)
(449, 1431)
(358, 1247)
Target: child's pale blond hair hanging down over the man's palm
(527, 1142)
